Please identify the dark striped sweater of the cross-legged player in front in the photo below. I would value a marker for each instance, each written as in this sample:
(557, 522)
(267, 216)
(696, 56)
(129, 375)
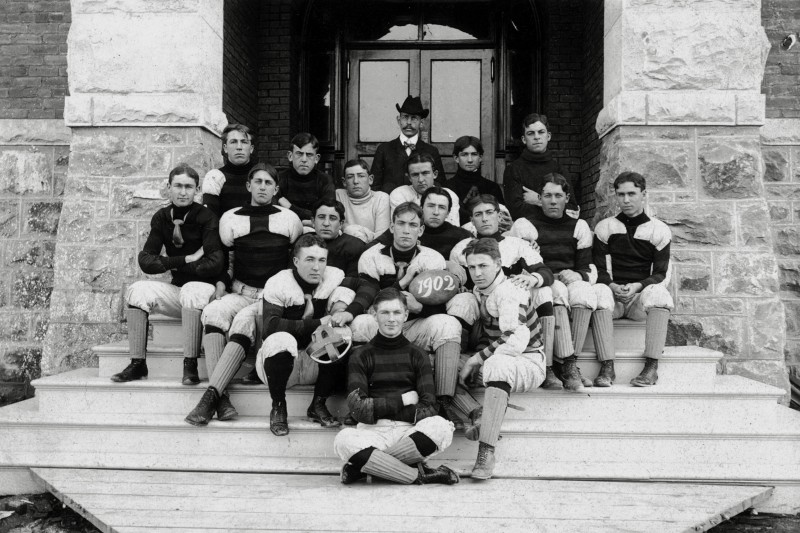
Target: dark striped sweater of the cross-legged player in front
(386, 368)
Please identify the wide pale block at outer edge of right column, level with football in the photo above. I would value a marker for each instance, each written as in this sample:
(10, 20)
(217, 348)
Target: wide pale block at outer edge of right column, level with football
(746, 273)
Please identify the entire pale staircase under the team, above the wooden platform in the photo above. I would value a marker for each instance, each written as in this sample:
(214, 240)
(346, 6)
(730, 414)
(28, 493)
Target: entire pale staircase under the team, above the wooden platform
(694, 426)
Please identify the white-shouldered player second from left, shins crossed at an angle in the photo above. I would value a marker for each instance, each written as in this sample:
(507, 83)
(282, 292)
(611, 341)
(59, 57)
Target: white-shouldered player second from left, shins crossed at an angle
(259, 236)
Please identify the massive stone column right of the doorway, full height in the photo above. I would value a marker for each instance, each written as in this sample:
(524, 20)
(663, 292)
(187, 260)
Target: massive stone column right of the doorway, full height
(683, 106)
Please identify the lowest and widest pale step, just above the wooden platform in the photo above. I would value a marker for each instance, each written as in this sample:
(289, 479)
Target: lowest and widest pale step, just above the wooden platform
(668, 447)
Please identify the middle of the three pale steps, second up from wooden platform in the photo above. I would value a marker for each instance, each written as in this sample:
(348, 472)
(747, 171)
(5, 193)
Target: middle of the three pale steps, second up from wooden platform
(732, 396)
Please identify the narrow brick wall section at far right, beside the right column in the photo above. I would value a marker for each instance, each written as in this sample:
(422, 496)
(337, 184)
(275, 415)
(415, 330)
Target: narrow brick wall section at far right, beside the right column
(781, 82)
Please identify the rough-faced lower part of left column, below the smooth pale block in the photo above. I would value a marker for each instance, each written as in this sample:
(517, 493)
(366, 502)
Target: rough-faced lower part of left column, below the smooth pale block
(116, 181)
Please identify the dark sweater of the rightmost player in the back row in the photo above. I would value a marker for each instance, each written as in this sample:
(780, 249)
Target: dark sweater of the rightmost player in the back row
(528, 171)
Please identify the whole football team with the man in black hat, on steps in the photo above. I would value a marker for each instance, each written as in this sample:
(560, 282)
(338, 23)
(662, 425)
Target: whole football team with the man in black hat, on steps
(403, 292)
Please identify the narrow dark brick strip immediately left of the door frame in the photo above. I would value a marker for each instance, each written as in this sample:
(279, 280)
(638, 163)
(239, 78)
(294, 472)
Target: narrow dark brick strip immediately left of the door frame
(274, 81)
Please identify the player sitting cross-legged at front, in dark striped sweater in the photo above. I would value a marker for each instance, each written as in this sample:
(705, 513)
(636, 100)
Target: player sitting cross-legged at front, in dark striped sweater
(392, 398)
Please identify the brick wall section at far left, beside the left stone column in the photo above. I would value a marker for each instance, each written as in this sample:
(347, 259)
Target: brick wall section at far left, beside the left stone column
(33, 58)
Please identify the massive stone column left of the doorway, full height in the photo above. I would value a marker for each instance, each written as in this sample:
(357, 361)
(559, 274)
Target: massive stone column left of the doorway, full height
(145, 85)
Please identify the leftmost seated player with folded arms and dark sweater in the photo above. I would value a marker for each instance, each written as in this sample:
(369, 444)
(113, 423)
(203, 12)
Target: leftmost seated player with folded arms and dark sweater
(188, 232)
